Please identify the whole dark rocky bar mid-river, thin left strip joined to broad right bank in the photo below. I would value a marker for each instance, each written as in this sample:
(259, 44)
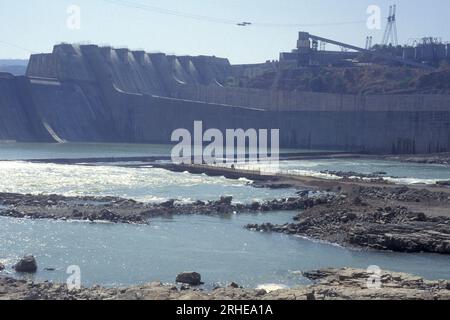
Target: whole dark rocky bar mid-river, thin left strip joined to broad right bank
(360, 213)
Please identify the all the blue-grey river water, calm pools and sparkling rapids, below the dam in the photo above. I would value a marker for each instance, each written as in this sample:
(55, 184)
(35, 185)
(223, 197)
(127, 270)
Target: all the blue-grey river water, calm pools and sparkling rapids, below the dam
(217, 247)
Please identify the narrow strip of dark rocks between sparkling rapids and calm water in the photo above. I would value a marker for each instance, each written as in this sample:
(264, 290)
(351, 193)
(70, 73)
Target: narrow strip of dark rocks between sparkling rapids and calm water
(120, 210)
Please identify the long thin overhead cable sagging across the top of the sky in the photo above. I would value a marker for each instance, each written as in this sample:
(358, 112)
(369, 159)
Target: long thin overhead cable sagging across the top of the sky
(159, 10)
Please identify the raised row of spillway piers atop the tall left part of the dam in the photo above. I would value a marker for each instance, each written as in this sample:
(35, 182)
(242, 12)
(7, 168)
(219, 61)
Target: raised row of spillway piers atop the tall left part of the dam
(130, 71)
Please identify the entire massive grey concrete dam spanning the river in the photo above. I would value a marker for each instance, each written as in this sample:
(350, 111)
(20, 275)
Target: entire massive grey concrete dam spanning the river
(86, 93)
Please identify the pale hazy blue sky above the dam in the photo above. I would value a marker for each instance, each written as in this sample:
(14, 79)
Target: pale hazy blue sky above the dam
(208, 27)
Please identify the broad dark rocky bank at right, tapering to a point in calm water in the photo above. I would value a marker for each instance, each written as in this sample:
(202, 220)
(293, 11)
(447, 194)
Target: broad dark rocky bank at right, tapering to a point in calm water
(384, 218)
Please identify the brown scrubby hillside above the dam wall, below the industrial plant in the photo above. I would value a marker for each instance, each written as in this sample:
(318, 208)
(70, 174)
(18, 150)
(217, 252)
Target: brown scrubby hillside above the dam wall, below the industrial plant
(373, 79)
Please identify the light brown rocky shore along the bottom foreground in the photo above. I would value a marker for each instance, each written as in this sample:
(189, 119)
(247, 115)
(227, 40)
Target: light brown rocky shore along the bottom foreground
(329, 284)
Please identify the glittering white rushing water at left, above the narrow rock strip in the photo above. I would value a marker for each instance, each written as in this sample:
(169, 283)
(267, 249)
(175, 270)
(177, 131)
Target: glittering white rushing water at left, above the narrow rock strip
(141, 184)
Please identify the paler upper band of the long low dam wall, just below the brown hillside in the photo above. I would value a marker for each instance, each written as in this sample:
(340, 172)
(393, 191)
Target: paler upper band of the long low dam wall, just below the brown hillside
(278, 100)
